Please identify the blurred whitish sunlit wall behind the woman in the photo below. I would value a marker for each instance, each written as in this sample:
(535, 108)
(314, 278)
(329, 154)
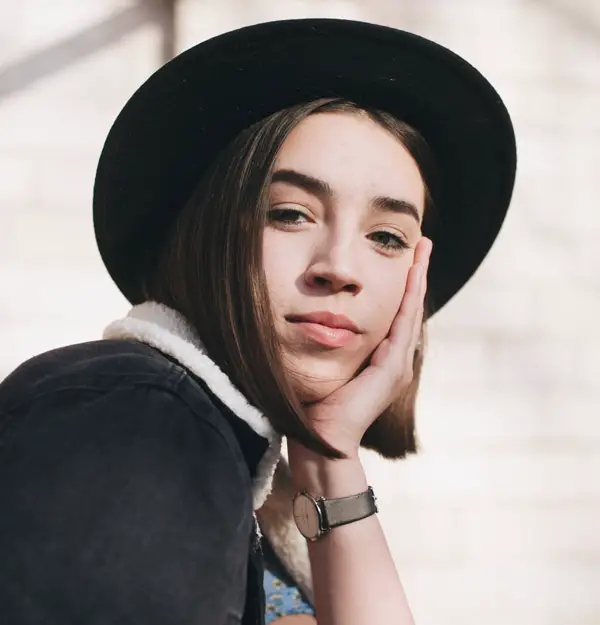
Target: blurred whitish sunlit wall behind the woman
(497, 520)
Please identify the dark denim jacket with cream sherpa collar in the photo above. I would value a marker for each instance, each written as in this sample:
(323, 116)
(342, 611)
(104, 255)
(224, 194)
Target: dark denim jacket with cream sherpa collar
(131, 470)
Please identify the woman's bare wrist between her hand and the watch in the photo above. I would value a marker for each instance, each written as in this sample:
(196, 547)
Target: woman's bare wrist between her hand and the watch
(325, 477)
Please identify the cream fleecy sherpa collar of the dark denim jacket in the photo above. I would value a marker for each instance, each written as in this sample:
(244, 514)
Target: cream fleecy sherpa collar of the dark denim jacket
(166, 330)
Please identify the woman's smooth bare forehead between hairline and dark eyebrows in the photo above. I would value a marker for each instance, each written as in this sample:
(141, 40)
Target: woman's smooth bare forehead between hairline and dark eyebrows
(354, 155)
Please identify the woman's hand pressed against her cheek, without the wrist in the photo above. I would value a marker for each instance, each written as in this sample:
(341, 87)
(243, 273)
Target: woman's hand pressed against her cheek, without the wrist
(343, 417)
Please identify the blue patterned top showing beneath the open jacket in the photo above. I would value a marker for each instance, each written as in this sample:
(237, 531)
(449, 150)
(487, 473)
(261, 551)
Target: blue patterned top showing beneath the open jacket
(282, 596)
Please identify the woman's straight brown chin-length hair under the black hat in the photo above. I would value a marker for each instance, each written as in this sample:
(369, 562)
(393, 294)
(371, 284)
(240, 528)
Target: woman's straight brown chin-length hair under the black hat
(211, 272)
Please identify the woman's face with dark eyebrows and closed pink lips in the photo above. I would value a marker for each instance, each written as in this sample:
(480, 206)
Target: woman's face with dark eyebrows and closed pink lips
(346, 204)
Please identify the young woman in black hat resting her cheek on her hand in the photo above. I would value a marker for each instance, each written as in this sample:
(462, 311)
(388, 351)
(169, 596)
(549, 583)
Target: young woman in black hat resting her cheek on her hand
(268, 202)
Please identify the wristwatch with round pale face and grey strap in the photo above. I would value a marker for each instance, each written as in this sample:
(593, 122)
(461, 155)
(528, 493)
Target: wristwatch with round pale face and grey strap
(316, 517)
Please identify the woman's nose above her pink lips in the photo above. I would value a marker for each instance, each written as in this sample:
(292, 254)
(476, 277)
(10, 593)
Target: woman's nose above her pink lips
(334, 270)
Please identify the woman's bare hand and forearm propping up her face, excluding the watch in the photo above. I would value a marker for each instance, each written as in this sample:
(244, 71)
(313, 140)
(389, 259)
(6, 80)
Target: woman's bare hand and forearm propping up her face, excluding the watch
(354, 577)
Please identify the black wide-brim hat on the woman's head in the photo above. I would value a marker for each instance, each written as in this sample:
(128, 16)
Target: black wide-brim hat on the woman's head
(185, 113)
